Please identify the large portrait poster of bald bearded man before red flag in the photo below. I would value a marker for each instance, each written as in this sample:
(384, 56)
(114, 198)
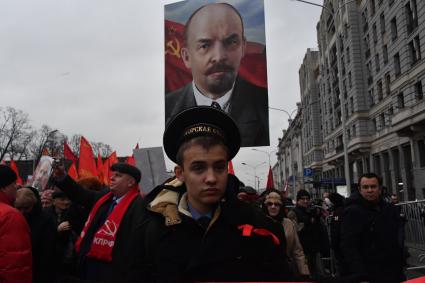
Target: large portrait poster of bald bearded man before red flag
(215, 55)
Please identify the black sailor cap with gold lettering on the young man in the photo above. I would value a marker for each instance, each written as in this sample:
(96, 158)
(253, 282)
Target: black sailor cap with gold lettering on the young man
(201, 121)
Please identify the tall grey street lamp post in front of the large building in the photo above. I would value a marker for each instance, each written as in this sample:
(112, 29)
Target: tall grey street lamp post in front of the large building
(341, 96)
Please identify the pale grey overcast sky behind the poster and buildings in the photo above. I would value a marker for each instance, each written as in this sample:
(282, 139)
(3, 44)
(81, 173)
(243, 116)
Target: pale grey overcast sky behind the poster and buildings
(96, 68)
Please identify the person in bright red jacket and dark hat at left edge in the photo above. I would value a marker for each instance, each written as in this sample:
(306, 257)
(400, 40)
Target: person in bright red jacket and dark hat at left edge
(15, 242)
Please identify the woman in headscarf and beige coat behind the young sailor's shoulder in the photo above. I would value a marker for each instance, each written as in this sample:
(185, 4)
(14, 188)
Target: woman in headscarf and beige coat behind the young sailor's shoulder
(273, 206)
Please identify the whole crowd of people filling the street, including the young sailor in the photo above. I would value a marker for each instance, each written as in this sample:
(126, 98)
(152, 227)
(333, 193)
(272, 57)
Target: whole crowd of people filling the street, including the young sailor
(201, 225)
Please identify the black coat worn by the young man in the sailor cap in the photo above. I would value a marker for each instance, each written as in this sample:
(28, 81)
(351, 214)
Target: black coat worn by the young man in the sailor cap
(185, 252)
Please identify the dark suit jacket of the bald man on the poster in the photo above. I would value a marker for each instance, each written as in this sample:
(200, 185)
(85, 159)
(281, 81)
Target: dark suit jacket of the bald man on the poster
(248, 107)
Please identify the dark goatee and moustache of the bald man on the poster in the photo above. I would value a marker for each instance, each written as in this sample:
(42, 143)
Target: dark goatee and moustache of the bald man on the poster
(220, 84)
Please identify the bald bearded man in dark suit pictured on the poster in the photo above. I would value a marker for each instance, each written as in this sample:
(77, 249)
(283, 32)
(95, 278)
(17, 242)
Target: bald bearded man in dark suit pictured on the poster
(214, 45)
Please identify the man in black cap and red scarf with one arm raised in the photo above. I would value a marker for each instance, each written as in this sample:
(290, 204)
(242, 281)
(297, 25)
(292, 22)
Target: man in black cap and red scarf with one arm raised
(106, 244)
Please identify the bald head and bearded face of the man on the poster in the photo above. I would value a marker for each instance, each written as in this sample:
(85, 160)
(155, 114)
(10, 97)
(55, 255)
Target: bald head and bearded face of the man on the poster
(214, 49)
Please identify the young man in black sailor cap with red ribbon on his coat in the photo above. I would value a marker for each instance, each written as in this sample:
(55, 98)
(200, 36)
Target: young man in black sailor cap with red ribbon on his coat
(197, 230)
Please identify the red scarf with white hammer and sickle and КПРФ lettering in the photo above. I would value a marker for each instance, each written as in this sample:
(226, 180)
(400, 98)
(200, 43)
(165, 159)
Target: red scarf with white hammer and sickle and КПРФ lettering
(104, 238)
